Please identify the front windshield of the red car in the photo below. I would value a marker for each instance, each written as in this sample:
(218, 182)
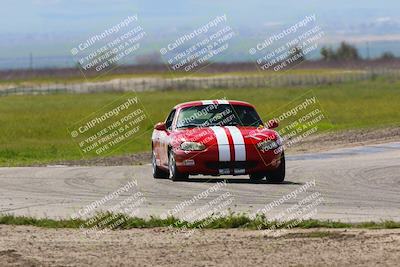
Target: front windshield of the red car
(218, 115)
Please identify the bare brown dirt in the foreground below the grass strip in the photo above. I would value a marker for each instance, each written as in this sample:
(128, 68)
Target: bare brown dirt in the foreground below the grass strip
(31, 246)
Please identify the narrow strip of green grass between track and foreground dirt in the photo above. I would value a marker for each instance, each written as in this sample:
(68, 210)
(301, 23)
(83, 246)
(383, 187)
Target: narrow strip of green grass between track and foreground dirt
(225, 222)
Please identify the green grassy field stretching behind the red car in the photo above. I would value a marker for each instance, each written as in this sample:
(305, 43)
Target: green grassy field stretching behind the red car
(34, 128)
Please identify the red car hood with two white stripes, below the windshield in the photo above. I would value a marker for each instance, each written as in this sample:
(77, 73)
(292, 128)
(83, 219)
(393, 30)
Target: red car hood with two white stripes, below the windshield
(225, 135)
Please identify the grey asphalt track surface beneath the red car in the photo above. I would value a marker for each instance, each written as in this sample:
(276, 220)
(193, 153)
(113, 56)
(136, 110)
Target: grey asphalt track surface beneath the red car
(356, 184)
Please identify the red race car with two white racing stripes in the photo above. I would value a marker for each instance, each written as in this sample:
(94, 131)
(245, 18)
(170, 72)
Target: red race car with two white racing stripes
(217, 137)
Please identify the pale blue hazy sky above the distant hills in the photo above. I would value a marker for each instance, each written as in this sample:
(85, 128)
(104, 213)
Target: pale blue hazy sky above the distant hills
(49, 16)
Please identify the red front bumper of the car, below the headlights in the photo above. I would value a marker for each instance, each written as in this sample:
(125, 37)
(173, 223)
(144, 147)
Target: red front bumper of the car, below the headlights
(207, 161)
